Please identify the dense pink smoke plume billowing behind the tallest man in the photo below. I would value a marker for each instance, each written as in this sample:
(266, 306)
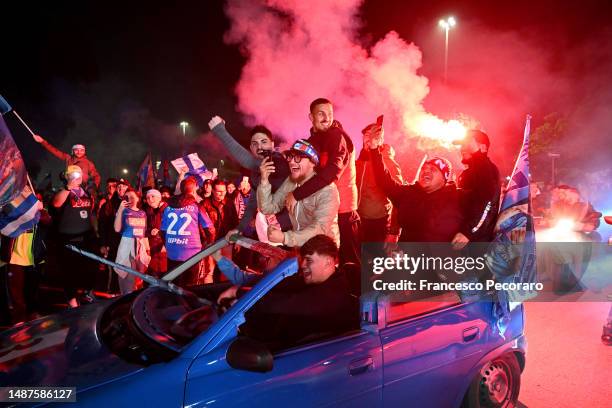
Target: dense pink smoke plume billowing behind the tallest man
(298, 51)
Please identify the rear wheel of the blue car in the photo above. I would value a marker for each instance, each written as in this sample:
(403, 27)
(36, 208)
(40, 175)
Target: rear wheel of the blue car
(497, 384)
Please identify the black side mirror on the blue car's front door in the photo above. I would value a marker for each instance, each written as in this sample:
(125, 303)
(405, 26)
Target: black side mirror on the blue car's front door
(250, 355)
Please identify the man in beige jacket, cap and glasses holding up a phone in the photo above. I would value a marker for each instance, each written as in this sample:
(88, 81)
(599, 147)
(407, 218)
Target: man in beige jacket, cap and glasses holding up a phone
(315, 214)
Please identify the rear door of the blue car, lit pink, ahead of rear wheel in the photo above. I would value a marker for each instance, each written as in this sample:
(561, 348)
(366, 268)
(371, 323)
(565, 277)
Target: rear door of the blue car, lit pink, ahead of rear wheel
(429, 348)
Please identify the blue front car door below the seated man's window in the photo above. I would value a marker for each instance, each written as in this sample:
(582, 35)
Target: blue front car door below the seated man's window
(343, 371)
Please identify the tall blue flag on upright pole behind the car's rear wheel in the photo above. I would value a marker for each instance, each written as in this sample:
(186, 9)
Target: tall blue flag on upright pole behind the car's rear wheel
(512, 256)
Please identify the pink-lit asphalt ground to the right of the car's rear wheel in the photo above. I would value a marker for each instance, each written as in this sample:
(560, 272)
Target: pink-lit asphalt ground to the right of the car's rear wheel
(567, 365)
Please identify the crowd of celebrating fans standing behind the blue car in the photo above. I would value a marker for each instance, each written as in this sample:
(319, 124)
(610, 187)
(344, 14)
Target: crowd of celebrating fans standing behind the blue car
(317, 187)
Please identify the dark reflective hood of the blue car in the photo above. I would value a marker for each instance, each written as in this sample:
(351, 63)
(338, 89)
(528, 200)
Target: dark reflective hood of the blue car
(62, 349)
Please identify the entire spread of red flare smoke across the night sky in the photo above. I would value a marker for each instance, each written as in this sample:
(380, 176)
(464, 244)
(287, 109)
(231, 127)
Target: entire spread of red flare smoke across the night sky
(300, 50)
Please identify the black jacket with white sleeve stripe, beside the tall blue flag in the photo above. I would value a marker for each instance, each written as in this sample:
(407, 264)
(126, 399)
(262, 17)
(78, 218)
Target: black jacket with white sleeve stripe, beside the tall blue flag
(480, 189)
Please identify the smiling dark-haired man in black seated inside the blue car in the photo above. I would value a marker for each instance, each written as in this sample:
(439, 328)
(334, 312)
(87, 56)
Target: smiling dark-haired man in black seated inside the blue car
(315, 303)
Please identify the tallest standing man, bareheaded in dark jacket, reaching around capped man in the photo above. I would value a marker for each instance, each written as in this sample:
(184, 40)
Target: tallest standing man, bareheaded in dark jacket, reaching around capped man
(337, 166)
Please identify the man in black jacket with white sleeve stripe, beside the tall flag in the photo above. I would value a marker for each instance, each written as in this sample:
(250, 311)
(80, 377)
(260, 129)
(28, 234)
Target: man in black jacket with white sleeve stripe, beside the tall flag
(480, 190)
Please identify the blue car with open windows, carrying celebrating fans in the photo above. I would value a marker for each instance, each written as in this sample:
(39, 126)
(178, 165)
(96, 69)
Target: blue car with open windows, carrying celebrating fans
(155, 348)
